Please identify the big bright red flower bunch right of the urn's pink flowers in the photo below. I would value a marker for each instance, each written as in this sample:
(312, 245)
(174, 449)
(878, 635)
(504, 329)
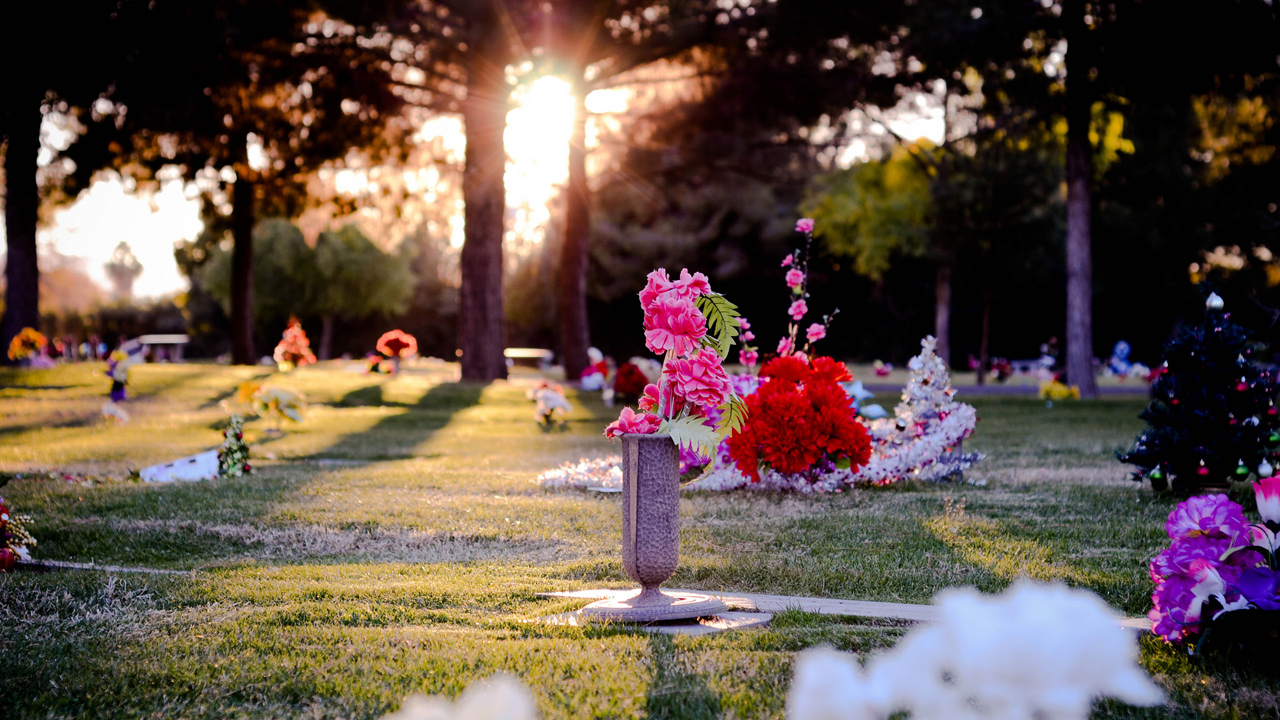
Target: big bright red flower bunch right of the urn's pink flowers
(801, 420)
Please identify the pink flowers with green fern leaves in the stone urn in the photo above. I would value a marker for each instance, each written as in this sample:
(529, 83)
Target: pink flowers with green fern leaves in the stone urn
(693, 329)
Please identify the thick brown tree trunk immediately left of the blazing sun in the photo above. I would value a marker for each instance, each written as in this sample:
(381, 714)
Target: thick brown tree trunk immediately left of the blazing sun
(484, 113)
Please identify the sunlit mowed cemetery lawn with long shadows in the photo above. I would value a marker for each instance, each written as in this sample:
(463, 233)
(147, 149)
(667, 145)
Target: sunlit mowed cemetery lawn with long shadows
(395, 543)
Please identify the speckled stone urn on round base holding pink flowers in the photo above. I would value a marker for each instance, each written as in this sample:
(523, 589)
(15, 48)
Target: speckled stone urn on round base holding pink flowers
(651, 537)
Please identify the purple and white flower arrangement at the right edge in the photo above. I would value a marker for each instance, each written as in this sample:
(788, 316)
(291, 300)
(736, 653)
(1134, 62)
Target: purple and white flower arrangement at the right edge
(1220, 576)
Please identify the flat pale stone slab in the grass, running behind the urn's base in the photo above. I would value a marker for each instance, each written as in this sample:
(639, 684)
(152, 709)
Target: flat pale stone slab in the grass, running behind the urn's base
(820, 605)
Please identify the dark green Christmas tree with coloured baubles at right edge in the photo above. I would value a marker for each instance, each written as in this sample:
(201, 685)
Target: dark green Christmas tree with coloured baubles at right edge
(1213, 417)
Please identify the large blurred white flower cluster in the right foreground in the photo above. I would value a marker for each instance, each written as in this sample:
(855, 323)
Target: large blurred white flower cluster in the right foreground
(1036, 651)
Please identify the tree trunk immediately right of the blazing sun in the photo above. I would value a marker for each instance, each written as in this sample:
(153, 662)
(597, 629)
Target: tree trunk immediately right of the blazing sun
(577, 247)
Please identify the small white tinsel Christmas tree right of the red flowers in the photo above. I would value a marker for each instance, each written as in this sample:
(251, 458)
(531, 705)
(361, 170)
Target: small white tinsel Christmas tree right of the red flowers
(922, 441)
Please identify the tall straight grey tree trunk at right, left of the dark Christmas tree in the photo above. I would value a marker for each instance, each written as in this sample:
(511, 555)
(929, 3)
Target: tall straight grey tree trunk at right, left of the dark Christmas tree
(1080, 197)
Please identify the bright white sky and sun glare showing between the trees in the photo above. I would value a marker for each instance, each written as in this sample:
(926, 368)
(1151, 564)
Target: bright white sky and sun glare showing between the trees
(537, 142)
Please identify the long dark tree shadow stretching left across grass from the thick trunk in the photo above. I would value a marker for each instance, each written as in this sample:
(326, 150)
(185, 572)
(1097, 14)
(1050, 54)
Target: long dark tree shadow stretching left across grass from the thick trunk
(397, 435)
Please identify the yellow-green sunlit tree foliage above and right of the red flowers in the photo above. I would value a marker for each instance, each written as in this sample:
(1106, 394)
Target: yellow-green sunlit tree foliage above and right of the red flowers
(874, 212)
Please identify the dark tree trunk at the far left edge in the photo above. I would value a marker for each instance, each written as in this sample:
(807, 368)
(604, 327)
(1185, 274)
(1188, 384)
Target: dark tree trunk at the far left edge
(21, 212)
